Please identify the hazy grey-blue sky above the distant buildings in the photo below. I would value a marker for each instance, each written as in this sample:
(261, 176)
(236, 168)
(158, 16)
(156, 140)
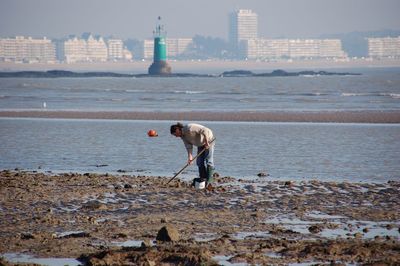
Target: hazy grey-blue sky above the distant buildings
(186, 18)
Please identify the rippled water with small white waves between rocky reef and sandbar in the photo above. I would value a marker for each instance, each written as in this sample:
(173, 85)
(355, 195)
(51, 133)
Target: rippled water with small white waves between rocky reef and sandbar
(374, 89)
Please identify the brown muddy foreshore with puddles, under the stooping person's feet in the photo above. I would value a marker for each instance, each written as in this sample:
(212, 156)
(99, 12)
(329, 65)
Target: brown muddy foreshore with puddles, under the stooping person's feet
(105, 219)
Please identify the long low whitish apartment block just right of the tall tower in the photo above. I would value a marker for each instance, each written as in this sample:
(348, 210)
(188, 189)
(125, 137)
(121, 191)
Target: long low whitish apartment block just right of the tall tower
(292, 48)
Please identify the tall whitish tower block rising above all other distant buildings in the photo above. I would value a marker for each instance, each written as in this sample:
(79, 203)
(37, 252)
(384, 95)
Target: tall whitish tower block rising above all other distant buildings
(243, 26)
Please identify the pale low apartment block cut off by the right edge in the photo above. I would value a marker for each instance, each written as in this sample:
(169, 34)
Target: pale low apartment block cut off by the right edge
(388, 47)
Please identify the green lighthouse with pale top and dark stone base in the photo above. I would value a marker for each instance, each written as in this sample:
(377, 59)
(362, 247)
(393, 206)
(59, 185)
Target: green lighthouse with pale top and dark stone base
(160, 65)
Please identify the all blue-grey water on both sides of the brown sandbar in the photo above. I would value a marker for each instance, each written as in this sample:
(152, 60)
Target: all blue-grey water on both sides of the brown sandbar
(327, 151)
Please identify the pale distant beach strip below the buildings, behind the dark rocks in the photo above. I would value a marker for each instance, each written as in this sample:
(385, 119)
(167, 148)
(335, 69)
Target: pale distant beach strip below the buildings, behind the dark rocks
(207, 66)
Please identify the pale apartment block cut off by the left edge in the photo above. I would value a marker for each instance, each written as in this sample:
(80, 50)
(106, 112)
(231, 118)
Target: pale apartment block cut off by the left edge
(27, 50)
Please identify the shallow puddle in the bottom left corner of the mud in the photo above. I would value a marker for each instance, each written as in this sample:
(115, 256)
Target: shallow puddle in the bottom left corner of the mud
(24, 258)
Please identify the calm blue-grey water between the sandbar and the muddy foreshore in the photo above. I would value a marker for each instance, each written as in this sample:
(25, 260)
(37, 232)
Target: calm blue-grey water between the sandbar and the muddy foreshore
(294, 151)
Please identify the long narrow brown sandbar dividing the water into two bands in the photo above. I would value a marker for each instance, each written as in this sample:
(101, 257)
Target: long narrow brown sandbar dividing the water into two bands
(283, 116)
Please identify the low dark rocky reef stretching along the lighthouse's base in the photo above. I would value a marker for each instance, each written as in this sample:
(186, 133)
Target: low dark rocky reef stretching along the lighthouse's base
(234, 73)
